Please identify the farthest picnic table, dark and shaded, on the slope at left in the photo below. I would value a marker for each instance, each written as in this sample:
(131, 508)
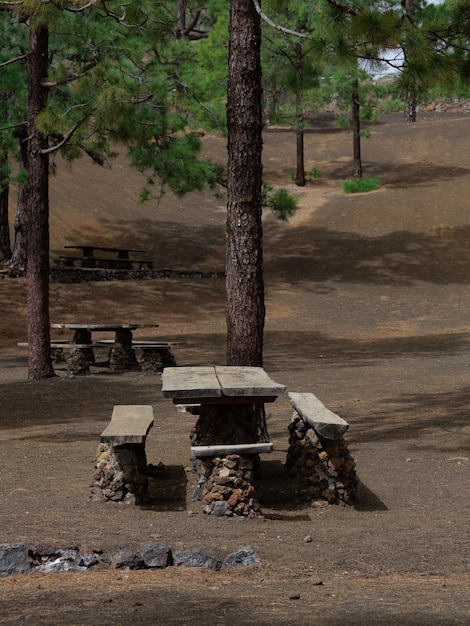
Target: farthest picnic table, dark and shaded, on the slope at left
(88, 258)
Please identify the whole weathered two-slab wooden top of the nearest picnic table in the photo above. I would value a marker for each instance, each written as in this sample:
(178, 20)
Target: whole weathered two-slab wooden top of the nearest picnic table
(224, 382)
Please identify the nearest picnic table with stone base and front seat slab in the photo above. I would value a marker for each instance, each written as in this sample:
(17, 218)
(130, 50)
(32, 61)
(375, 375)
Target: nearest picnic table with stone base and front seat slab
(226, 455)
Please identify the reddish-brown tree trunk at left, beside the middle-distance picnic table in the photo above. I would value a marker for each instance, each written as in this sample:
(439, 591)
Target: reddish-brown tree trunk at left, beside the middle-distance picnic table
(39, 361)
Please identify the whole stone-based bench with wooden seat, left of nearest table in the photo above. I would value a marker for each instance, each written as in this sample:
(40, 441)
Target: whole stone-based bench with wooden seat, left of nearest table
(121, 464)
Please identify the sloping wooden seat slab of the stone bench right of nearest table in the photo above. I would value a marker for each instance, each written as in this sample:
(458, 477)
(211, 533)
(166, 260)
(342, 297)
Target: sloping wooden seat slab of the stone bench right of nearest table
(324, 422)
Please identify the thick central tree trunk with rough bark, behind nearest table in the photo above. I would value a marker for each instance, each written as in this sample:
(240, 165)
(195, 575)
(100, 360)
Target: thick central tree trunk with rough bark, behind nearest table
(244, 256)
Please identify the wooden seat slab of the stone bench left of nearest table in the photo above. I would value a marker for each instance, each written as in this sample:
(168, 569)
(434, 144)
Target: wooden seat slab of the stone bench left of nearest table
(130, 423)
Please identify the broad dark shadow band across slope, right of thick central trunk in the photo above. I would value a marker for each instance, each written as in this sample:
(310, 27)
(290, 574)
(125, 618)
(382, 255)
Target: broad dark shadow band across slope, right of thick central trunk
(398, 258)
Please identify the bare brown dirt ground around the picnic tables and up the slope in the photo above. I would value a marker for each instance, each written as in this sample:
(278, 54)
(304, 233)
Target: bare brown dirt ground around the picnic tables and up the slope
(367, 306)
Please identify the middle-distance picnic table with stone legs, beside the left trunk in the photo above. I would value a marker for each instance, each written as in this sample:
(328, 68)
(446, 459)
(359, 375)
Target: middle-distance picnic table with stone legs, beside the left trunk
(122, 355)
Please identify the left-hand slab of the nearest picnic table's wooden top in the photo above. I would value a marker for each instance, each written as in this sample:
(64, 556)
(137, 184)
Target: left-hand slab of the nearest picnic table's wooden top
(190, 382)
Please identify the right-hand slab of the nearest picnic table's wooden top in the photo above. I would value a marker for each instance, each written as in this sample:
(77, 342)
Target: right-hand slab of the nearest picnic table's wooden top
(247, 381)
